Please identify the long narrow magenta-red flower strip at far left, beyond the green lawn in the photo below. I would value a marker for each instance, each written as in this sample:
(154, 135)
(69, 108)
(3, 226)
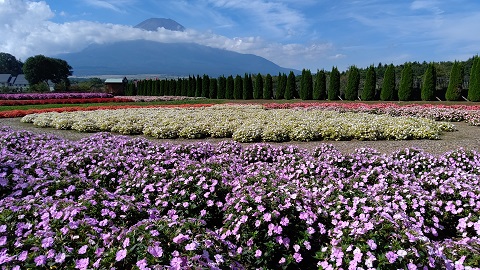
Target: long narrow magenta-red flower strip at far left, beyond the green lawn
(19, 102)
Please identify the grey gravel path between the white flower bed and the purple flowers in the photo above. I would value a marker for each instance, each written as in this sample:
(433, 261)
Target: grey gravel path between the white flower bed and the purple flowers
(467, 137)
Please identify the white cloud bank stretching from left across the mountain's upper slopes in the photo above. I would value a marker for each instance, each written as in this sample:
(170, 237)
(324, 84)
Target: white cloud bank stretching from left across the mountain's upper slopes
(33, 33)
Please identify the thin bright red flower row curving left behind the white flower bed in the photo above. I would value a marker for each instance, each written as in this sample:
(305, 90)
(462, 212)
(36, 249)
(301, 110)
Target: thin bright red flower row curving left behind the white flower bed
(21, 113)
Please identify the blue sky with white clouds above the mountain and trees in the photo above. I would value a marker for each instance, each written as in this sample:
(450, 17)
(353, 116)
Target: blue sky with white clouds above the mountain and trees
(310, 34)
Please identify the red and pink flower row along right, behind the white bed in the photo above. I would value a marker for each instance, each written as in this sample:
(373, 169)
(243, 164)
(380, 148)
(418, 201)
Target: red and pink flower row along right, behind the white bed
(452, 113)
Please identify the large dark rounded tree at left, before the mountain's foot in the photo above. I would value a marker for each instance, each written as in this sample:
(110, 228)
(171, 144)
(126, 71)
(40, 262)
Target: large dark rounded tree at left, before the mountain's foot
(42, 69)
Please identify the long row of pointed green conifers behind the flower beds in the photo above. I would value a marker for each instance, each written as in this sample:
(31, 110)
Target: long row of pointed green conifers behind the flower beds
(324, 85)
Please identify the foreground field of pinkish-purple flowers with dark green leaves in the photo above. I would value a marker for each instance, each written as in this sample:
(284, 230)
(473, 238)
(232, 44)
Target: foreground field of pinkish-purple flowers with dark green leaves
(114, 202)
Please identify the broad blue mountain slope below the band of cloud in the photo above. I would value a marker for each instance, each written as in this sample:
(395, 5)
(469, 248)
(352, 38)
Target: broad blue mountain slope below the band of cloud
(174, 59)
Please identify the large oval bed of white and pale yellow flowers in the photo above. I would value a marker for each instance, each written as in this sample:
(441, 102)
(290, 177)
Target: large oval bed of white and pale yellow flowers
(246, 123)
